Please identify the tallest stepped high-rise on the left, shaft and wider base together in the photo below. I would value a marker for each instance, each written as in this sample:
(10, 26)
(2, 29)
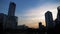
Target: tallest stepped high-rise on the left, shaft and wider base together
(11, 19)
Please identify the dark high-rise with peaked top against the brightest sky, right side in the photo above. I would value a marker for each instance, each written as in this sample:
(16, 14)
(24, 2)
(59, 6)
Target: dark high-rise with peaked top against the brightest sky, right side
(49, 19)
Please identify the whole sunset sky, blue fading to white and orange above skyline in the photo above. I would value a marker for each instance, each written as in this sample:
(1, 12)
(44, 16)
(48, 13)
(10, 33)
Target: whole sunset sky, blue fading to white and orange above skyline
(31, 12)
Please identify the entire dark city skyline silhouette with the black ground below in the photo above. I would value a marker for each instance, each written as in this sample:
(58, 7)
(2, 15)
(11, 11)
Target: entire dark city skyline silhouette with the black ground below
(8, 23)
